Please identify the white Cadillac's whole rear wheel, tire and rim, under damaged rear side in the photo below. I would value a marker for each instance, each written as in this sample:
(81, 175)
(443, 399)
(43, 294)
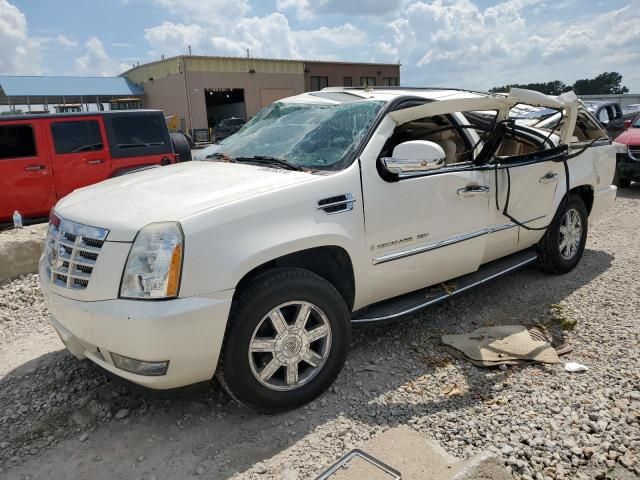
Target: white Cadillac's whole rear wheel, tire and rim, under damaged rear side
(562, 246)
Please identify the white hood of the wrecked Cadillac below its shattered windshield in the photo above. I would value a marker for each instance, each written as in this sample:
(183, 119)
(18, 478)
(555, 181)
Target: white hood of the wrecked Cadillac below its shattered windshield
(125, 204)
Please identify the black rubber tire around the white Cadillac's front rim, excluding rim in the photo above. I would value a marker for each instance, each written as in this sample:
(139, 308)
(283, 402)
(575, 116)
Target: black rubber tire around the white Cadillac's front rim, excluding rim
(297, 284)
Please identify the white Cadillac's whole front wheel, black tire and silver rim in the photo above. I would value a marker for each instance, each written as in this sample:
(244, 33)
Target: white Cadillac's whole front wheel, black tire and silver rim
(288, 337)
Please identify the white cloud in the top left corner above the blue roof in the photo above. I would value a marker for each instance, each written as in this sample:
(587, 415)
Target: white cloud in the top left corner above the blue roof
(19, 54)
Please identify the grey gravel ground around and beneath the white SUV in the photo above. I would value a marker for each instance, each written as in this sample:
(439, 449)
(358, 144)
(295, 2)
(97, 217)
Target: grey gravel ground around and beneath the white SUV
(61, 418)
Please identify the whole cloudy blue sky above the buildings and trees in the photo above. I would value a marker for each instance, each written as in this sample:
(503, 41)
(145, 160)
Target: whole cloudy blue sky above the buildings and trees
(474, 44)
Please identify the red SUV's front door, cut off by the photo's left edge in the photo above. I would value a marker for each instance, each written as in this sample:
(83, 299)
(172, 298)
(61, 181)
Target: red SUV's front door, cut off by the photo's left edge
(25, 175)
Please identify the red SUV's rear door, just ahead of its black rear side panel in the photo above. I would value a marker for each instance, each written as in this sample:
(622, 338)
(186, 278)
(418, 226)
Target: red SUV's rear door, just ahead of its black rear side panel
(79, 154)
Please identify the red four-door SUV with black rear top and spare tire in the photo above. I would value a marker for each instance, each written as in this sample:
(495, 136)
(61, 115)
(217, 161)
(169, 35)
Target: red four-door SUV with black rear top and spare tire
(45, 157)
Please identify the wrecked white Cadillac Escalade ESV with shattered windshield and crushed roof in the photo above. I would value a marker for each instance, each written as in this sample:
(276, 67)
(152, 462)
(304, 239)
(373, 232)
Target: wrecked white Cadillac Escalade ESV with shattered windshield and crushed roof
(327, 209)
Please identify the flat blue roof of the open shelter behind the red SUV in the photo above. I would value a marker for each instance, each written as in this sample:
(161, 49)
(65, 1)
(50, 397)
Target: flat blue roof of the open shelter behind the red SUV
(32, 86)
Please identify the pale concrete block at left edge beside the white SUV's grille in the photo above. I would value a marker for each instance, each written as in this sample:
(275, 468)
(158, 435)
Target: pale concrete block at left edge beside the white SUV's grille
(20, 250)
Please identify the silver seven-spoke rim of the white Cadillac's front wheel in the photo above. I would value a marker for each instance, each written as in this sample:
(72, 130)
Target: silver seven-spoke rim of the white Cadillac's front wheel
(290, 345)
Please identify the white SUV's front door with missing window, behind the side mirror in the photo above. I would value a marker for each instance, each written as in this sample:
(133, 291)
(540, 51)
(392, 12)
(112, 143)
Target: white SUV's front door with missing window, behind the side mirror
(429, 228)
